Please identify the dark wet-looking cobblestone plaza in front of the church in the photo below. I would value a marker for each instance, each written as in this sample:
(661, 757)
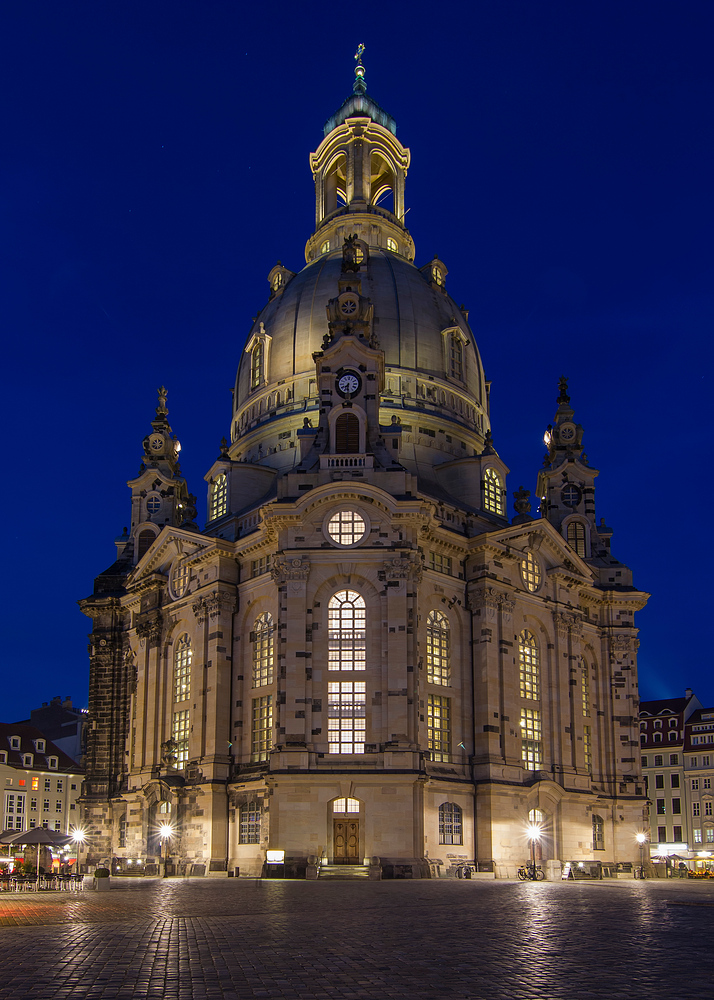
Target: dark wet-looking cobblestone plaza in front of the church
(364, 940)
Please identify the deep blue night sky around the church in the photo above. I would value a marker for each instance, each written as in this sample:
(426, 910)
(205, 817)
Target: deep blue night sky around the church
(154, 166)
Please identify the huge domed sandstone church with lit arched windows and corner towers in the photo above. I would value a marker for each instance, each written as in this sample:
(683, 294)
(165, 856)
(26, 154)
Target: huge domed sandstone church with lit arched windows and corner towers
(360, 656)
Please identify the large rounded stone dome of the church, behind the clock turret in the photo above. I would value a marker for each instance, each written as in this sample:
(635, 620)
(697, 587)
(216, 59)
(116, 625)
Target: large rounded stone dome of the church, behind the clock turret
(415, 322)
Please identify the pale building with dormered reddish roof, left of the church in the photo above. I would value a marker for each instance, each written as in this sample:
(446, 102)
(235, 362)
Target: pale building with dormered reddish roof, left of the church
(41, 784)
